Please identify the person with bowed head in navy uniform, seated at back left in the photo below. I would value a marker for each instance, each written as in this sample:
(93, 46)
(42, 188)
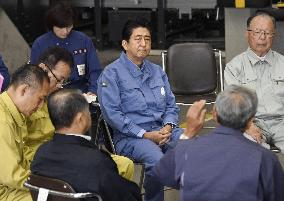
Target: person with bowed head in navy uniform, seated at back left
(86, 68)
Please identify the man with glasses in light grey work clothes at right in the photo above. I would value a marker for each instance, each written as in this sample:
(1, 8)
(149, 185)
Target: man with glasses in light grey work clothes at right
(261, 69)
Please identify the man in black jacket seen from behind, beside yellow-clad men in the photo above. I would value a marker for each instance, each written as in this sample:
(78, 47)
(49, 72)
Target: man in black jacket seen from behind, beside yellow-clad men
(71, 156)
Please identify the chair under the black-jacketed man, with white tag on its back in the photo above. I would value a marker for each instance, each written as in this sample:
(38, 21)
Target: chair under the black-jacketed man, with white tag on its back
(50, 189)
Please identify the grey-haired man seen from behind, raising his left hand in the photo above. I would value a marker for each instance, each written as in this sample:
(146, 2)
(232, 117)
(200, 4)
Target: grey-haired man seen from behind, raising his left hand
(223, 165)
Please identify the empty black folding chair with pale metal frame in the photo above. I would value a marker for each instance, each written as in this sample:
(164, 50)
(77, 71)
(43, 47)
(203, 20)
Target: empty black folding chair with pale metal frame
(193, 73)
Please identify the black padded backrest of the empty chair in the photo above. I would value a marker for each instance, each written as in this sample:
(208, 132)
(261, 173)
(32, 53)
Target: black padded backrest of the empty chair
(191, 68)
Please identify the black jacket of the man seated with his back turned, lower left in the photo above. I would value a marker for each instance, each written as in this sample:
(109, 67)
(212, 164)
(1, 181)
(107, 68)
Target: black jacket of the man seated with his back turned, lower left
(86, 168)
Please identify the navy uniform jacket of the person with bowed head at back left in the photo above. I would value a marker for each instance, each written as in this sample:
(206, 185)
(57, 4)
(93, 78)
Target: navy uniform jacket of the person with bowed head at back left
(84, 56)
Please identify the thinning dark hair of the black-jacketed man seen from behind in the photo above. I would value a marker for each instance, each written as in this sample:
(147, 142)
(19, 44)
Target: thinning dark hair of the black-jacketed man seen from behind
(63, 105)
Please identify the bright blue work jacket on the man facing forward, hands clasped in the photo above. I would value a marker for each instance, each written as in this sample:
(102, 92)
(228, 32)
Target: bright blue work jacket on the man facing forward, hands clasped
(135, 100)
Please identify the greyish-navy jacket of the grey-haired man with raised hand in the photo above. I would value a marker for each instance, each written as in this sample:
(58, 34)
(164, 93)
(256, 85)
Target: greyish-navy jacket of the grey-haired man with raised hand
(222, 166)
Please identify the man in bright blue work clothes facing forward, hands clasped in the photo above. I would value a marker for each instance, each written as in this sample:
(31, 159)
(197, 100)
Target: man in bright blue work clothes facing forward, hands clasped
(137, 102)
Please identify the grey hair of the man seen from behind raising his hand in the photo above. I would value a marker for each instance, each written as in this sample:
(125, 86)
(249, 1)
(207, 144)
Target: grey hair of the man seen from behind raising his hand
(235, 106)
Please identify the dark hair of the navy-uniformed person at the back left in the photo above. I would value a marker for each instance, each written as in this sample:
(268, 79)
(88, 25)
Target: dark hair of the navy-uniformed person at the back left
(60, 15)
